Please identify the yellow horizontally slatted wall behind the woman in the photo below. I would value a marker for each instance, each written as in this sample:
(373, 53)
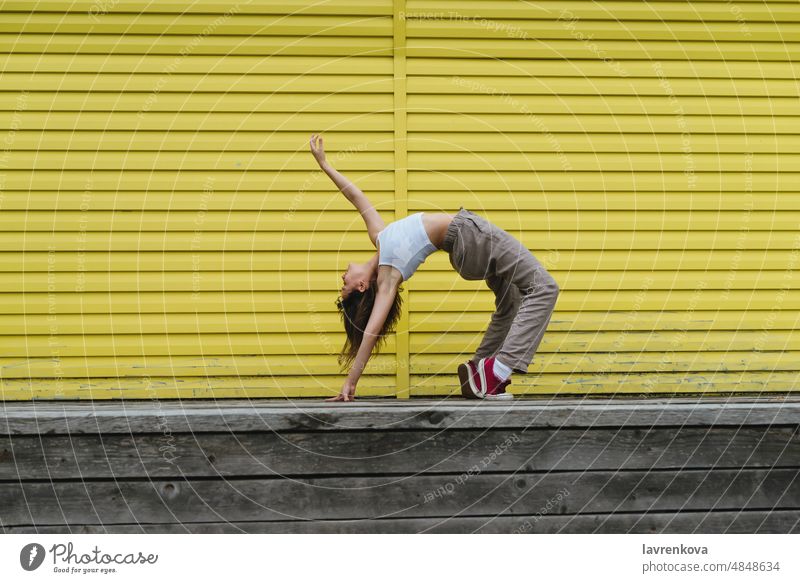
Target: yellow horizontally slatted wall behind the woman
(166, 233)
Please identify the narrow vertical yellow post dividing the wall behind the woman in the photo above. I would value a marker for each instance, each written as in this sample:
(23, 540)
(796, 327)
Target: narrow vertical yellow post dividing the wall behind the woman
(401, 182)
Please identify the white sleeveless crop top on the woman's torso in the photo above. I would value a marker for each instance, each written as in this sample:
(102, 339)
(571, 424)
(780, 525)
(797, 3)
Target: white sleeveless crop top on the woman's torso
(405, 244)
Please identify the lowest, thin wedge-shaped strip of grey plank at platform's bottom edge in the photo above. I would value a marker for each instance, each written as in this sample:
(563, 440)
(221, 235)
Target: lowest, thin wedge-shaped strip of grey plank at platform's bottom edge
(750, 522)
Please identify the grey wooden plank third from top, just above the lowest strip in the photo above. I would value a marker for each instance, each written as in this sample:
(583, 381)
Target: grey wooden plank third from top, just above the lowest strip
(177, 501)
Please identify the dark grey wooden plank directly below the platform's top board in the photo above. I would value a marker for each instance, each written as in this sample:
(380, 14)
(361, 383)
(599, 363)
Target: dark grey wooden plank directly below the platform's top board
(86, 456)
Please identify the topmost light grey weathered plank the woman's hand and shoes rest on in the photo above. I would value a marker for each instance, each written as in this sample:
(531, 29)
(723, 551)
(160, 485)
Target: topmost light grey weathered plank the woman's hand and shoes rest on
(37, 418)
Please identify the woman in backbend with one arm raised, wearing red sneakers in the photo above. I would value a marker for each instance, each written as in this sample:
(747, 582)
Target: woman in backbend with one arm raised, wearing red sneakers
(525, 293)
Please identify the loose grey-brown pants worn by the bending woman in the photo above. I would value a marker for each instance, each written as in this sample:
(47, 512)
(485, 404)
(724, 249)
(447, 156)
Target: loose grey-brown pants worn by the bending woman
(525, 293)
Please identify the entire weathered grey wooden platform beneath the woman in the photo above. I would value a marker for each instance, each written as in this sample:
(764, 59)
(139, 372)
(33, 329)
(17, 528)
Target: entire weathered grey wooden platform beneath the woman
(709, 465)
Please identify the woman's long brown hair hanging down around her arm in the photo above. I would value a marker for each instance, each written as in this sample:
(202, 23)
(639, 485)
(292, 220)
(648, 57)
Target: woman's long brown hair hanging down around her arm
(355, 312)
